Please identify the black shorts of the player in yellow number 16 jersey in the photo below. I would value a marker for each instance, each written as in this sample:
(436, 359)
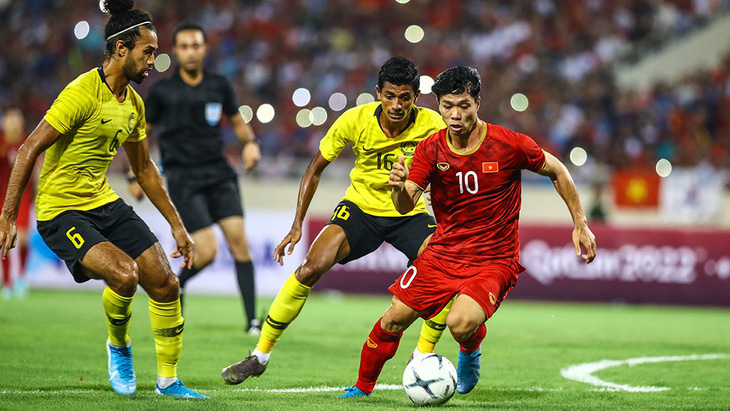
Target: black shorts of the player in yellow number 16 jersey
(366, 233)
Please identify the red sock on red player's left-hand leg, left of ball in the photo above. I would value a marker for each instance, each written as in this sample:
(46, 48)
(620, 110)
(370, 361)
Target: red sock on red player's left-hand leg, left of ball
(379, 348)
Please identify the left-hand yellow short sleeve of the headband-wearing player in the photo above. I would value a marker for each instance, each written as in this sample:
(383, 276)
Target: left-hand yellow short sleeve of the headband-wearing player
(74, 105)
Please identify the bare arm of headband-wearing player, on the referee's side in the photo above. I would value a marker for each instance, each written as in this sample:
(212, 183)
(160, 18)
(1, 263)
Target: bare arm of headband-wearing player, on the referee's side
(150, 180)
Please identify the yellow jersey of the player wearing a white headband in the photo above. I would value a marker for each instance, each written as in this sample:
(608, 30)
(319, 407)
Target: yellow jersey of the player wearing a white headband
(93, 125)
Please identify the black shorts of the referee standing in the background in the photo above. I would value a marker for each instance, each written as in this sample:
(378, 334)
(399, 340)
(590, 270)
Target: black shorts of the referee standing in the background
(202, 205)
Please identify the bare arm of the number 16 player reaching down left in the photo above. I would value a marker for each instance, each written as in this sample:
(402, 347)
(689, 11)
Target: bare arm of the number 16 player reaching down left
(307, 188)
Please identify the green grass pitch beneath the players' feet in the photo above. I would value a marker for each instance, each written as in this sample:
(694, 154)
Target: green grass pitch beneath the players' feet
(52, 356)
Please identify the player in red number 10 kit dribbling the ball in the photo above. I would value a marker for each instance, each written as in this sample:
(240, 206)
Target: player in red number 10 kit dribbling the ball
(474, 171)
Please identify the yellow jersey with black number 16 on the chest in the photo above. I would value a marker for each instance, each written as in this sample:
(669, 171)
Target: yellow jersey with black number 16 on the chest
(375, 153)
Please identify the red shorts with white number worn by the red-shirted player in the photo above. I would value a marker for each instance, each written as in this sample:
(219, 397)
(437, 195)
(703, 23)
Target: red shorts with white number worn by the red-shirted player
(430, 283)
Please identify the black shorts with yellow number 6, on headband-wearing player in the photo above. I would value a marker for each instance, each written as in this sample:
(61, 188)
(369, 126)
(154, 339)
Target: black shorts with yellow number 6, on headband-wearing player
(72, 233)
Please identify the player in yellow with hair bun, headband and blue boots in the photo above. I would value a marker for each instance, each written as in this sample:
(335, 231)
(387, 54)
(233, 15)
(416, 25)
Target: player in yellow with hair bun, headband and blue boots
(84, 221)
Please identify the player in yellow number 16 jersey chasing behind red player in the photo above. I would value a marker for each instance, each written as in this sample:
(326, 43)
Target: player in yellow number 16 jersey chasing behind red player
(379, 132)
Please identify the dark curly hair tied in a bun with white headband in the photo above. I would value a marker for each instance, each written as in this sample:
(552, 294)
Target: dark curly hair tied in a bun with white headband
(121, 18)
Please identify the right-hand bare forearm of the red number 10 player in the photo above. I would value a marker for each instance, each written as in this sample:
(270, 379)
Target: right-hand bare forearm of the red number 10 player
(564, 185)
